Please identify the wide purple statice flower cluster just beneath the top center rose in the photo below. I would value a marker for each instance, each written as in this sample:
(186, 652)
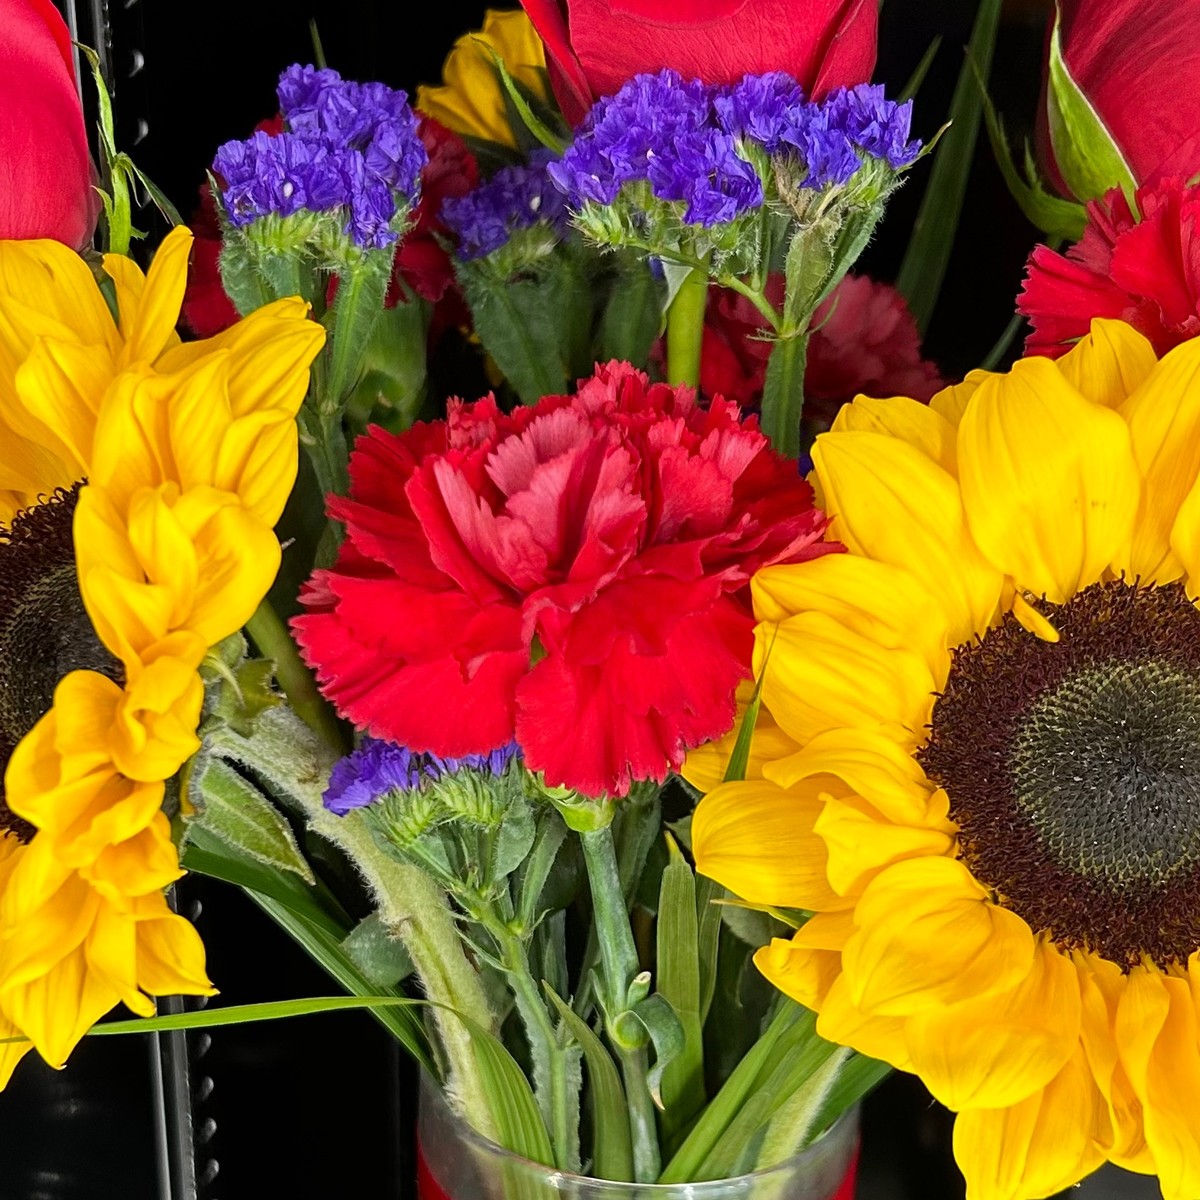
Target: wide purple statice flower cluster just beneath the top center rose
(713, 147)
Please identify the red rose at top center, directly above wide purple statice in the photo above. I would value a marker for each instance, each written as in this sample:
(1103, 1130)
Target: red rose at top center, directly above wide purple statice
(595, 46)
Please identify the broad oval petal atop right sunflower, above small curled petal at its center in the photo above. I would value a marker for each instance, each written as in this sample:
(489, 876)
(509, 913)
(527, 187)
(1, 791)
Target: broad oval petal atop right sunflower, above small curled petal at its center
(1049, 481)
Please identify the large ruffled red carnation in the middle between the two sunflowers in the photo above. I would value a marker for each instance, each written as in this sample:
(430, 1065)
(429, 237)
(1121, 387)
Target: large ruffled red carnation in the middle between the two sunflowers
(572, 575)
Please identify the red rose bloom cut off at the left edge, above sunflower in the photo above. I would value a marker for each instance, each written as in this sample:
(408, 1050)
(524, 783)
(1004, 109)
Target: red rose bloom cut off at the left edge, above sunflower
(46, 177)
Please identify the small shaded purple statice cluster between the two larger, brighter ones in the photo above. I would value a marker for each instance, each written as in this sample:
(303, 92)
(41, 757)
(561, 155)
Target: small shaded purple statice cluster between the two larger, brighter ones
(515, 199)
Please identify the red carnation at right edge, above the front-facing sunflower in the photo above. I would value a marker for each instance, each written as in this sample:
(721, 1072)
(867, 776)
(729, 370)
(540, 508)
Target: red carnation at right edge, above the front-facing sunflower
(1145, 273)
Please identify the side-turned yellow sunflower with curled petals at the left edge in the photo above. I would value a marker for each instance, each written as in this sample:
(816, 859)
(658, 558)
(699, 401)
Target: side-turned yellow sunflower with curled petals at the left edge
(140, 484)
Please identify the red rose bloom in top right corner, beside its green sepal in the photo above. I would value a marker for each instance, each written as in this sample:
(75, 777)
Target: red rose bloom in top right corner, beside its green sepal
(1139, 65)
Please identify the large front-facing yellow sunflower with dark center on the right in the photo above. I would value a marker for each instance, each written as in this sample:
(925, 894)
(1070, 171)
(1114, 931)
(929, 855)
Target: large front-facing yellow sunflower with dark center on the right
(979, 765)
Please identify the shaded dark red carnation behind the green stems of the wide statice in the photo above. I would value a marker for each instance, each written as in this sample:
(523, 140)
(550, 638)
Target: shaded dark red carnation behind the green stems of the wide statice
(865, 341)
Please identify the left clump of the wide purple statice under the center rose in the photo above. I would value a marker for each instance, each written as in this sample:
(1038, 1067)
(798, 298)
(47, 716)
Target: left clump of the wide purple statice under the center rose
(663, 130)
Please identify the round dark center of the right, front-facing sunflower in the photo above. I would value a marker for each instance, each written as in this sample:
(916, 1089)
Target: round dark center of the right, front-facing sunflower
(1073, 770)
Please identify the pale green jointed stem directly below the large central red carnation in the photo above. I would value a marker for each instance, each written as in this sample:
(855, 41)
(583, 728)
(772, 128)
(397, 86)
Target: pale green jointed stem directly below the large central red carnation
(619, 957)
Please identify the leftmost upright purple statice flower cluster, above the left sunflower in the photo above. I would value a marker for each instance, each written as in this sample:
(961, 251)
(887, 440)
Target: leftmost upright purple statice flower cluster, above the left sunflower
(349, 148)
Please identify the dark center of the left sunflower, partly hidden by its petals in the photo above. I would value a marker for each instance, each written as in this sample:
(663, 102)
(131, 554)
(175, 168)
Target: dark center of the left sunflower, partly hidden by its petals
(45, 631)
